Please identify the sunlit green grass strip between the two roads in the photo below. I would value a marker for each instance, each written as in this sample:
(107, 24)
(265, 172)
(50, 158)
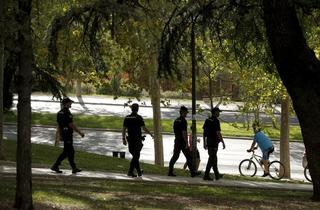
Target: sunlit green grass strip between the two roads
(113, 122)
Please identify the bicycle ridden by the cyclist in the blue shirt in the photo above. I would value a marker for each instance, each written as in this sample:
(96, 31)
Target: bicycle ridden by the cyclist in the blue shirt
(248, 167)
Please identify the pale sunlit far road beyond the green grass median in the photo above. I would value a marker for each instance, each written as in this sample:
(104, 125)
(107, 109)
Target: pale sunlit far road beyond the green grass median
(106, 105)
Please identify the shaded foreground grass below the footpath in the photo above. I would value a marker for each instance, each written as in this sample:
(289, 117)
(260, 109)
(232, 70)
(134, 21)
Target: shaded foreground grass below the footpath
(84, 193)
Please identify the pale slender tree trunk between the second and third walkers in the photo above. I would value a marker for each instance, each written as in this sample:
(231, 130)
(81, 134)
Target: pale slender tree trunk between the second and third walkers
(155, 101)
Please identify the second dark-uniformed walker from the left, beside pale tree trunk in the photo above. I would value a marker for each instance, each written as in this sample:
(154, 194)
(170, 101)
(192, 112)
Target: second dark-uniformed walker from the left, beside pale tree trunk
(132, 125)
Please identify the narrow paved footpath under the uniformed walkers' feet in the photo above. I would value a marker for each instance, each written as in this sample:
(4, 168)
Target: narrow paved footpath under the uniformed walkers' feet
(7, 169)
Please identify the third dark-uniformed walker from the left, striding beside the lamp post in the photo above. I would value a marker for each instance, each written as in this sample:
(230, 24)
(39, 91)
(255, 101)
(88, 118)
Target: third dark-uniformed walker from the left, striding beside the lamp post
(181, 143)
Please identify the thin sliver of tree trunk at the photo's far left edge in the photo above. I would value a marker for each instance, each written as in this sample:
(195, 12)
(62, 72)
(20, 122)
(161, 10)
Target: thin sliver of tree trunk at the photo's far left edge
(2, 23)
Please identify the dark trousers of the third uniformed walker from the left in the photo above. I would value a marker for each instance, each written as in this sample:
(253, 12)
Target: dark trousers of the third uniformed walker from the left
(176, 153)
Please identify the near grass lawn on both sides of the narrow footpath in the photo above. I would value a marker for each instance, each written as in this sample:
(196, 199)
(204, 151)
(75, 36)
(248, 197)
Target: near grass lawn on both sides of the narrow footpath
(68, 192)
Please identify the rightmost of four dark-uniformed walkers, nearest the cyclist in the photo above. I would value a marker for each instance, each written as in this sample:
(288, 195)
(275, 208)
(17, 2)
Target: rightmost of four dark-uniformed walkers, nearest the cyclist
(211, 139)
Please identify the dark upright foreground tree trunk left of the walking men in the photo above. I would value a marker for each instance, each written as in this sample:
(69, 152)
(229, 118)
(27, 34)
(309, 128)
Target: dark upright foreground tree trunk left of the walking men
(23, 198)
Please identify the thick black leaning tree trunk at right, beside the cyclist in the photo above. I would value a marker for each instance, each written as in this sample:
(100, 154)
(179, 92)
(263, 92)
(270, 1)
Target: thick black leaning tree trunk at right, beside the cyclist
(299, 70)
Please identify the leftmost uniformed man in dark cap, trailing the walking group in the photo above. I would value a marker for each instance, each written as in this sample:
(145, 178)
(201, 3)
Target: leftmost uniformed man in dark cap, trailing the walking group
(66, 127)
